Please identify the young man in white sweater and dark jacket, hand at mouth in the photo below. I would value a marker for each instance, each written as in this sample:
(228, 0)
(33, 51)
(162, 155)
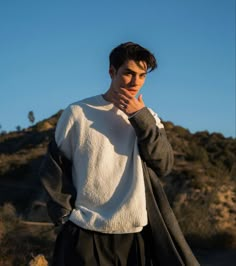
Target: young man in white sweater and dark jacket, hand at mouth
(101, 175)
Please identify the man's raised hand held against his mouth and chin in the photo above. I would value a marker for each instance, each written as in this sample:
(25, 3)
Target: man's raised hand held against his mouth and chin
(125, 101)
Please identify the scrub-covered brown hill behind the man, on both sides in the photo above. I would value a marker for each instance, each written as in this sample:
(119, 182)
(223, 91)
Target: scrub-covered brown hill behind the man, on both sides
(201, 188)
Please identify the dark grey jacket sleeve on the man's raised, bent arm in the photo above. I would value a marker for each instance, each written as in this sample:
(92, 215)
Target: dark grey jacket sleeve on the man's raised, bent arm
(154, 146)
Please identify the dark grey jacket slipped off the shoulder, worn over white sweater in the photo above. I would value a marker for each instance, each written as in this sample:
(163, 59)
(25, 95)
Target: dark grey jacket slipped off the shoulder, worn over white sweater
(157, 157)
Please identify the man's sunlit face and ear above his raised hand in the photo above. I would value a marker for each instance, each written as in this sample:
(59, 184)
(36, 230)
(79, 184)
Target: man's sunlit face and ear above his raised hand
(131, 76)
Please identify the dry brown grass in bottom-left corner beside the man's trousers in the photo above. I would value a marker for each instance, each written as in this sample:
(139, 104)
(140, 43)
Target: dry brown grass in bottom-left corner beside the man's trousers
(22, 243)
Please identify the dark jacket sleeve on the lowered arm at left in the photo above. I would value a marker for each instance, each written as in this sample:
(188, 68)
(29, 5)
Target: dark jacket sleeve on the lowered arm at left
(55, 175)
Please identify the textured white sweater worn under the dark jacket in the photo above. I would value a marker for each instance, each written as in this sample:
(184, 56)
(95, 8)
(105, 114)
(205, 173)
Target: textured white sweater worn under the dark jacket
(107, 170)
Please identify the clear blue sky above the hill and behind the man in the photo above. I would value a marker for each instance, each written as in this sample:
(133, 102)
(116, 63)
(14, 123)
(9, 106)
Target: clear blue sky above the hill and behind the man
(53, 53)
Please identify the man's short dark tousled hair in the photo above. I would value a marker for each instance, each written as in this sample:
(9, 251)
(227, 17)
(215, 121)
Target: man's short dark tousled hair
(132, 51)
